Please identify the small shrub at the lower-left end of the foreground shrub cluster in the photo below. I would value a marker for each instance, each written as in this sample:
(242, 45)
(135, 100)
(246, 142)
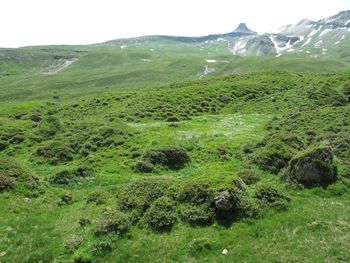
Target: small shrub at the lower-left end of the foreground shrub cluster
(115, 223)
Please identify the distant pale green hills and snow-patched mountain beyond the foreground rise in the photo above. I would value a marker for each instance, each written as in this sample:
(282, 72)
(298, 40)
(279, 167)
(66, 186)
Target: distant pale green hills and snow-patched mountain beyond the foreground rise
(68, 71)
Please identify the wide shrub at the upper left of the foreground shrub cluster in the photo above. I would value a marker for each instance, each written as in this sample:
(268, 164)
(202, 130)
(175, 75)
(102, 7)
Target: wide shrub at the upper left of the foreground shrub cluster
(142, 193)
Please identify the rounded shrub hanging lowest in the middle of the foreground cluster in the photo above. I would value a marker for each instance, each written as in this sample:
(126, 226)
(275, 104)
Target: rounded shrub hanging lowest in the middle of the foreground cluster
(161, 216)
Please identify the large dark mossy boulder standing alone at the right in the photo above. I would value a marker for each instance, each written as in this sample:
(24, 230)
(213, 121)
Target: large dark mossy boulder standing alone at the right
(314, 167)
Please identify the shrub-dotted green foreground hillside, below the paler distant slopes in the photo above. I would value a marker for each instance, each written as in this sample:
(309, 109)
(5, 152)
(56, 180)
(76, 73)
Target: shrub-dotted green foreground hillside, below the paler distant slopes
(256, 163)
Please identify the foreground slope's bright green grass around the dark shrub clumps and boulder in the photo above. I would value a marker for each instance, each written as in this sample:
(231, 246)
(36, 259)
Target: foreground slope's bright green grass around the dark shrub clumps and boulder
(318, 219)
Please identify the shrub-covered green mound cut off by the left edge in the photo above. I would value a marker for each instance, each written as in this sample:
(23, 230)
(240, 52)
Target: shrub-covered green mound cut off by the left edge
(15, 177)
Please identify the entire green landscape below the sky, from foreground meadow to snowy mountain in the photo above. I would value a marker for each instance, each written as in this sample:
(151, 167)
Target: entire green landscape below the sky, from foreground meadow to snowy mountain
(229, 147)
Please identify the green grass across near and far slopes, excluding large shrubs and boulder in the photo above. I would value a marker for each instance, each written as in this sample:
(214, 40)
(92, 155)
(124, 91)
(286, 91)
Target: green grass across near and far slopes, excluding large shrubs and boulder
(224, 123)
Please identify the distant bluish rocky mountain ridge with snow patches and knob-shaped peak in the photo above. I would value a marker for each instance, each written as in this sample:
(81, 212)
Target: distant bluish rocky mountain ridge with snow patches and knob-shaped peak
(310, 38)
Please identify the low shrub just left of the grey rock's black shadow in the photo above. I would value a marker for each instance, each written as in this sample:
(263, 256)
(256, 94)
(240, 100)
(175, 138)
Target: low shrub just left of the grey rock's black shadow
(199, 215)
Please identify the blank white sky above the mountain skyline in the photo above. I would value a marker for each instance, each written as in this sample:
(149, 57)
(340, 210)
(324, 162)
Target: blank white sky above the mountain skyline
(44, 22)
